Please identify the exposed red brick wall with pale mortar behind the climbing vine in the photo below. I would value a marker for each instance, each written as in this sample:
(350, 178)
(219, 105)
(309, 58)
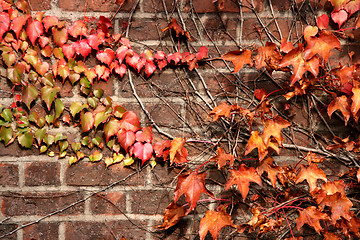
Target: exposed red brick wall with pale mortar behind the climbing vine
(89, 201)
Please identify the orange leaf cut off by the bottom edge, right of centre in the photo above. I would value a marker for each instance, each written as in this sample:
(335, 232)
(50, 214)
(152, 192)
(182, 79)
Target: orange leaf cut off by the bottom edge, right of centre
(213, 222)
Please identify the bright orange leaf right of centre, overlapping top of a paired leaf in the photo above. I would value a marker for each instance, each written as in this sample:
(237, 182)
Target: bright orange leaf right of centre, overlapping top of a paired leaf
(272, 127)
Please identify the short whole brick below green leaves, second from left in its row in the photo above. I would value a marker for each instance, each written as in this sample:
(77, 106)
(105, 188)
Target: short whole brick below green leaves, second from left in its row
(42, 173)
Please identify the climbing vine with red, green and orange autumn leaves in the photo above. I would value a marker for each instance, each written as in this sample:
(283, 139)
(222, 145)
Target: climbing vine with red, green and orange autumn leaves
(39, 51)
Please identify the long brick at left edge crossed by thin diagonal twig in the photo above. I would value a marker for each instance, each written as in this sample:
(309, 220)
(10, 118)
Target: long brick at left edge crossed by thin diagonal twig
(20, 204)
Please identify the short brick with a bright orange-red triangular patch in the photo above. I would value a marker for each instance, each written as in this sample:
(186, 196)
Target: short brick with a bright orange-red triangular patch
(108, 203)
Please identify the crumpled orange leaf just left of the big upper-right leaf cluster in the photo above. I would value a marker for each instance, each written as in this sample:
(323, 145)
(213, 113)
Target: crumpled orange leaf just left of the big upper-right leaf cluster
(268, 54)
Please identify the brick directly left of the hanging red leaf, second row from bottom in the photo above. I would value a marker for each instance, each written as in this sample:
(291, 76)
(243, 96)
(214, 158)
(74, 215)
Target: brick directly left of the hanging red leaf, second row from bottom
(150, 202)
